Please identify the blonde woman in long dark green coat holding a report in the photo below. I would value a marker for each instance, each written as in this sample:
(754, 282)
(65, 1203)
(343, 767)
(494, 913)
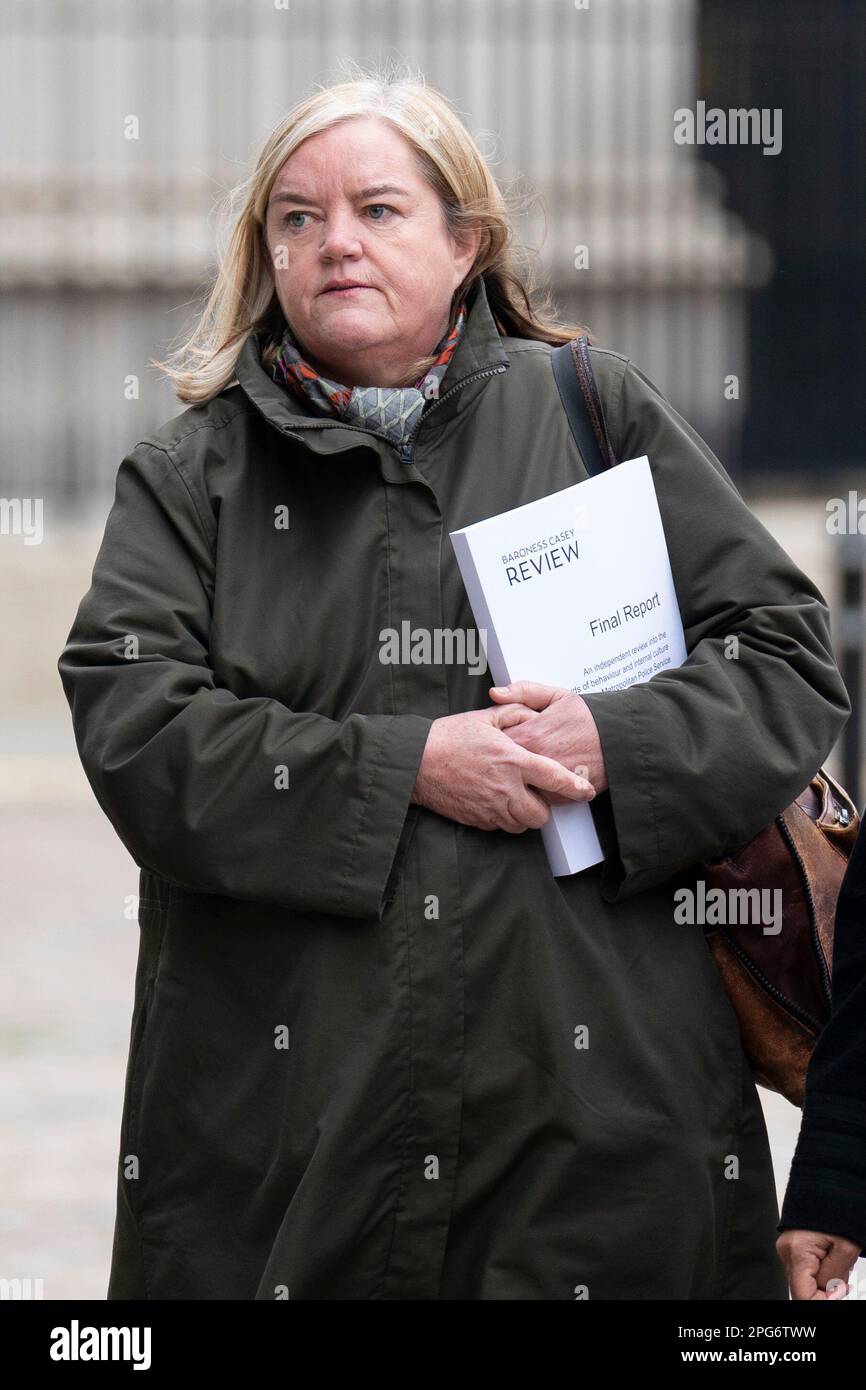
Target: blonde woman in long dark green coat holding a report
(377, 1050)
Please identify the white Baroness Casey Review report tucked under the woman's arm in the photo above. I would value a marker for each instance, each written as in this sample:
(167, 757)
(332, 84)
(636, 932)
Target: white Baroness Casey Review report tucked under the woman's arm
(576, 590)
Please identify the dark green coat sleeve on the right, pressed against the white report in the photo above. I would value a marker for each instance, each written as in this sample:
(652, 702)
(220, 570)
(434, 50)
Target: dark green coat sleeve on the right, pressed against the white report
(700, 758)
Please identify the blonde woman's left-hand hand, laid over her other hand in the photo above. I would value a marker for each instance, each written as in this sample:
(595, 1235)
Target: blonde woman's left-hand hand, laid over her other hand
(475, 774)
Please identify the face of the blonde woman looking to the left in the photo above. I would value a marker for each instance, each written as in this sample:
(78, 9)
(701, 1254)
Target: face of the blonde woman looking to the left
(350, 205)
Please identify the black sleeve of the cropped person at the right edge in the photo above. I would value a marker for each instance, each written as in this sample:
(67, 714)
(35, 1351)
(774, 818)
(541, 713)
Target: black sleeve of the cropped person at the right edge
(828, 1184)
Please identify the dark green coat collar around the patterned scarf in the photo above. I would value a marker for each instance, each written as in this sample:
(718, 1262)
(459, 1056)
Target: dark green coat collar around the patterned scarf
(480, 348)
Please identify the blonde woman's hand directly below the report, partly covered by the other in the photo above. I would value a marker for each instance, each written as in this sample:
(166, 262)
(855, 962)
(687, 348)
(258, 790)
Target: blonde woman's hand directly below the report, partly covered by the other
(562, 729)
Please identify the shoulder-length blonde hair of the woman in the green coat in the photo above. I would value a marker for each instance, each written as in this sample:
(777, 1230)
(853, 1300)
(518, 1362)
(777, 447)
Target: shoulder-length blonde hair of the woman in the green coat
(244, 295)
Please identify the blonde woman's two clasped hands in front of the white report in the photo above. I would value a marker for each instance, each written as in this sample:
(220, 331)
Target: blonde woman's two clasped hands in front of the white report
(503, 768)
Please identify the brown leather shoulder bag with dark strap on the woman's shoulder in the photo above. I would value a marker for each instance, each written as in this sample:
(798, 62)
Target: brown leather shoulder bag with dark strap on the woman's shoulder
(778, 982)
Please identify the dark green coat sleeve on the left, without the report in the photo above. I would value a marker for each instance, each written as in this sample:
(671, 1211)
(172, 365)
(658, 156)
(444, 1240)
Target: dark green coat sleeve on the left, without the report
(187, 772)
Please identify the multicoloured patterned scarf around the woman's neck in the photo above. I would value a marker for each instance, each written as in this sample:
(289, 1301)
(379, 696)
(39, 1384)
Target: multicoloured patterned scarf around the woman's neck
(393, 411)
